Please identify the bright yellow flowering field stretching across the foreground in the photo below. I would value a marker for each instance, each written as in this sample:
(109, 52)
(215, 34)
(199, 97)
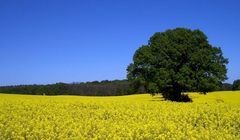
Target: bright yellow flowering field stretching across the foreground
(214, 116)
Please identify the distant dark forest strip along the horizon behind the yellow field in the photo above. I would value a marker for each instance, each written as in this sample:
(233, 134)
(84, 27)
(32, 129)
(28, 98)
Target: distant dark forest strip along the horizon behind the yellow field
(95, 88)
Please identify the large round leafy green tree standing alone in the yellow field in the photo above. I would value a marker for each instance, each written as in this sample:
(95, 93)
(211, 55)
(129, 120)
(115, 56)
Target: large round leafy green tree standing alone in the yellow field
(176, 61)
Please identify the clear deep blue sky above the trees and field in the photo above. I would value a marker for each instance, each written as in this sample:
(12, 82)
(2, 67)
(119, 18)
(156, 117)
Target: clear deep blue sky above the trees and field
(49, 41)
